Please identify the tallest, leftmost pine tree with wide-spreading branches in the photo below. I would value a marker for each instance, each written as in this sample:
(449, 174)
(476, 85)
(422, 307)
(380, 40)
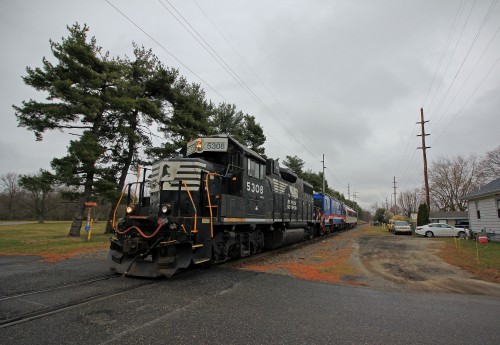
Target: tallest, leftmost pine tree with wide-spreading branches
(82, 89)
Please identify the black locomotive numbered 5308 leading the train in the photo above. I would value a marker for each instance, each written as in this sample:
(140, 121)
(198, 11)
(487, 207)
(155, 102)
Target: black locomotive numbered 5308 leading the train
(221, 201)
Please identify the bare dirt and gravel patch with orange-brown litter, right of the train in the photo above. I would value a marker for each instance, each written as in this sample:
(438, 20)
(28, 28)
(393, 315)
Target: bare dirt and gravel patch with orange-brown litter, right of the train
(354, 257)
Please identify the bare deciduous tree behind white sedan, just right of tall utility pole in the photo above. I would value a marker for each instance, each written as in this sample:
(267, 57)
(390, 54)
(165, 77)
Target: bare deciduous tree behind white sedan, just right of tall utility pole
(452, 178)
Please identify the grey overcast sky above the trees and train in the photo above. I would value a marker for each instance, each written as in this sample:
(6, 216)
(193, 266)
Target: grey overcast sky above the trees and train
(342, 78)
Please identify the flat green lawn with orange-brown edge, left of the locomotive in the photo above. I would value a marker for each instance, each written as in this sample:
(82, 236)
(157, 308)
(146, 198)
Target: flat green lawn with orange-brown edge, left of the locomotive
(50, 240)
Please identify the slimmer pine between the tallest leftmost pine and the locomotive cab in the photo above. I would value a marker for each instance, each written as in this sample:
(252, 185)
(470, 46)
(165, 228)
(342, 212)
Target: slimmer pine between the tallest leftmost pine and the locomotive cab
(145, 99)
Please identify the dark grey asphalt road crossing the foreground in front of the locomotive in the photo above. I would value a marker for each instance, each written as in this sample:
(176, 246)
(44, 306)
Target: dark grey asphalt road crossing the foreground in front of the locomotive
(221, 305)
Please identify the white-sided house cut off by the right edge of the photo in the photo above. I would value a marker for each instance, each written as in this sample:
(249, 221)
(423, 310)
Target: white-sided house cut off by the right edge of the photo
(484, 207)
